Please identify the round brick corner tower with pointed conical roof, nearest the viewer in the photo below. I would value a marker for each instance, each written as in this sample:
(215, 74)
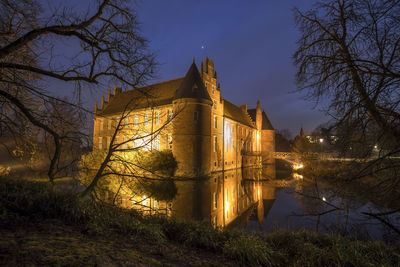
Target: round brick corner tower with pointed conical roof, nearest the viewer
(191, 126)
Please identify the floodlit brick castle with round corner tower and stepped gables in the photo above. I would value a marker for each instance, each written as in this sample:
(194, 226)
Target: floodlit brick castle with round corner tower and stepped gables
(188, 115)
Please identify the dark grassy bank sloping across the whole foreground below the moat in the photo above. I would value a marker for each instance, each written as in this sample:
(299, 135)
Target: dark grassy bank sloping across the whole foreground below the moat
(40, 227)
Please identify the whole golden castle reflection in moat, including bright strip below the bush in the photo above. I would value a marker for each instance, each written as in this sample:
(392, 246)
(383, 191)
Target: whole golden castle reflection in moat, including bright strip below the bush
(227, 198)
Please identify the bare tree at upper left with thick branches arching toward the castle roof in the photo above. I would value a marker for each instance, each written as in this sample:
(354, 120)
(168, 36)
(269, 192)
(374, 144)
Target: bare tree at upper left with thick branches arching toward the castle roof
(99, 45)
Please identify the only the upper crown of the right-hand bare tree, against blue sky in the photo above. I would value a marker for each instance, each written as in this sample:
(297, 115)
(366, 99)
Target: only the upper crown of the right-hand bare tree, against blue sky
(349, 53)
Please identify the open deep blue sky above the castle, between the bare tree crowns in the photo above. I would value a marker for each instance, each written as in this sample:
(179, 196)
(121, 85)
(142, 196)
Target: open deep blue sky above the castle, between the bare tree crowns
(250, 42)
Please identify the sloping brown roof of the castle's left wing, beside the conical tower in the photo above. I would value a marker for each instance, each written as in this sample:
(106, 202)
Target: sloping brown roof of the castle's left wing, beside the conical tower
(149, 96)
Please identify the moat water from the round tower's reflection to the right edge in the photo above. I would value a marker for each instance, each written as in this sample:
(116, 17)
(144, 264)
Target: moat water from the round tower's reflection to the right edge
(268, 199)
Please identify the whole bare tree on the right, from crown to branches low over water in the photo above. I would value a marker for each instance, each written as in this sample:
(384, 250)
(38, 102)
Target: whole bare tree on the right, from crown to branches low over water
(348, 55)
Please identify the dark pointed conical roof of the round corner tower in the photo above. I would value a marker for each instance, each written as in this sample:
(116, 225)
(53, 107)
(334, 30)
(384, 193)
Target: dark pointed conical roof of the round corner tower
(192, 85)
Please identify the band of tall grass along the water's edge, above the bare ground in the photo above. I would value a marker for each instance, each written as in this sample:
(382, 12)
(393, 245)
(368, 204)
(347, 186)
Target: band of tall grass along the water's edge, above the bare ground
(26, 202)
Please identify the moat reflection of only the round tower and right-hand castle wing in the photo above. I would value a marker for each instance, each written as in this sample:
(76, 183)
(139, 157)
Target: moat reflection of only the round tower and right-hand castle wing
(219, 200)
